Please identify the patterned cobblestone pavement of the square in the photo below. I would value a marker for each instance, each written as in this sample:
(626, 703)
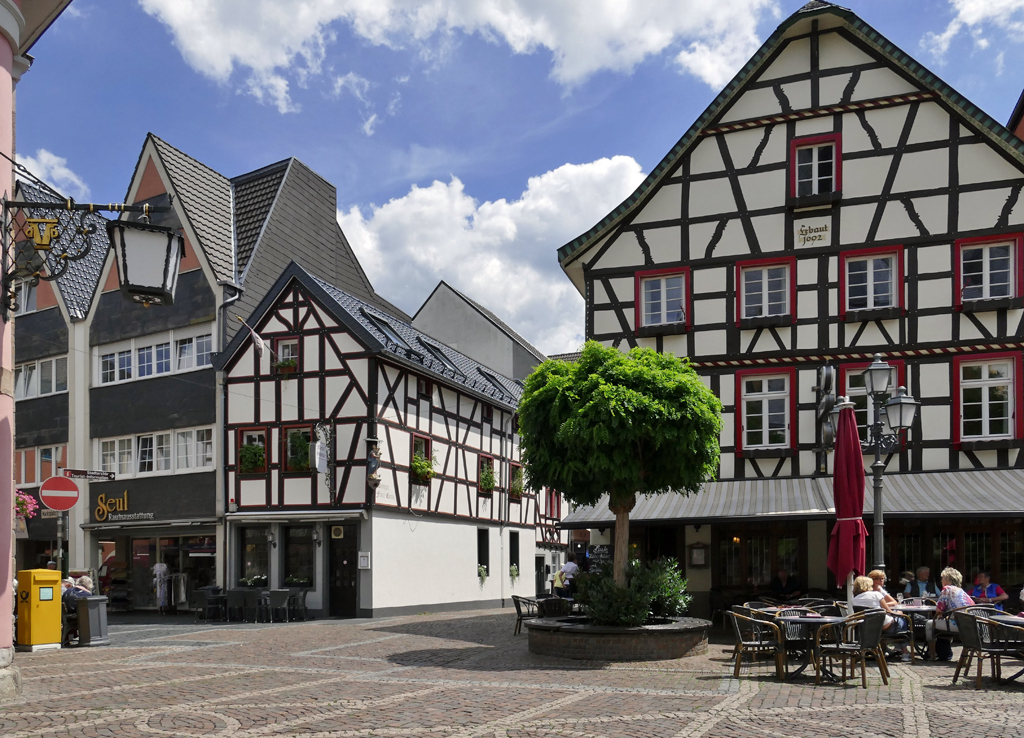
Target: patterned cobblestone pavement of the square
(458, 675)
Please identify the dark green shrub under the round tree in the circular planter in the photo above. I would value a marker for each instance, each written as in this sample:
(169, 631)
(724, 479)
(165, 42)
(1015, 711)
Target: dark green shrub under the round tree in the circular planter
(652, 592)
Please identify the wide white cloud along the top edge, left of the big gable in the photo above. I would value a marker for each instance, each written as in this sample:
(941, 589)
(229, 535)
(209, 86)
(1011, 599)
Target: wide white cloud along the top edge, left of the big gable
(271, 37)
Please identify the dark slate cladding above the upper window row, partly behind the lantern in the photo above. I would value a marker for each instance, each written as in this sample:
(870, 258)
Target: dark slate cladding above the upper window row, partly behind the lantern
(118, 320)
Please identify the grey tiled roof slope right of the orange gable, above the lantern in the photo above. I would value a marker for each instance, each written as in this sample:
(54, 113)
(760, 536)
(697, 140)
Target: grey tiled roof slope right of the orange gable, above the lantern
(206, 198)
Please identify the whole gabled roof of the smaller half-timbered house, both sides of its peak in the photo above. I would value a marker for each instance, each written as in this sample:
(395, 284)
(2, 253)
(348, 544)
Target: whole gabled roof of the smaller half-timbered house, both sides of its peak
(370, 324)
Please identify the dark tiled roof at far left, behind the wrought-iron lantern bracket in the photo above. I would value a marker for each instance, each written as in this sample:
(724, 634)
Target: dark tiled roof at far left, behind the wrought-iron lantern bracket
(78, 285)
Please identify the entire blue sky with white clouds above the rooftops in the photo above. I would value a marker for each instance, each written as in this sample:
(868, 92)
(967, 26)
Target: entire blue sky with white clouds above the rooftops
(468, 140)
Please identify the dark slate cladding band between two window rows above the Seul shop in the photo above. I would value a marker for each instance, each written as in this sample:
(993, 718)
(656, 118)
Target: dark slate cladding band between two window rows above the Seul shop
(153, 405)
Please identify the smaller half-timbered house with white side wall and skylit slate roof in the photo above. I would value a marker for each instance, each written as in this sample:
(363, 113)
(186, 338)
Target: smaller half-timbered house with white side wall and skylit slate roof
(365, 531)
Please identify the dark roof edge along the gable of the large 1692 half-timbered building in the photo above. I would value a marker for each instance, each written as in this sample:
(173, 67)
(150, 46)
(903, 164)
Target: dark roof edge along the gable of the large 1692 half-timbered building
(983, 123)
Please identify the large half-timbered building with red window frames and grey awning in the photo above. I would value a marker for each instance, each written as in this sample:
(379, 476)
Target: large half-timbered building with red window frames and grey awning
(836, 200)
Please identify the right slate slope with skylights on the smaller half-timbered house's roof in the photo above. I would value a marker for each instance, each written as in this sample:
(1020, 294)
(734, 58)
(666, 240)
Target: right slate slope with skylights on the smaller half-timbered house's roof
(472, 374)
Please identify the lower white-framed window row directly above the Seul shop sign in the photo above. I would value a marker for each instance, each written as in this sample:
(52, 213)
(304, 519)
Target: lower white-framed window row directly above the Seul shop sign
(155, 453)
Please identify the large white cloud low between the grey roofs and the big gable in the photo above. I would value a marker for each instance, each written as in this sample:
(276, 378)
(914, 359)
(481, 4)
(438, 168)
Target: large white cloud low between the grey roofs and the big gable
(500, 253)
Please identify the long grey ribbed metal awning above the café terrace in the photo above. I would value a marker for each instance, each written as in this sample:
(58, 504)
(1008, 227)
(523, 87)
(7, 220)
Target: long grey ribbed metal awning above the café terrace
(964, 494)
